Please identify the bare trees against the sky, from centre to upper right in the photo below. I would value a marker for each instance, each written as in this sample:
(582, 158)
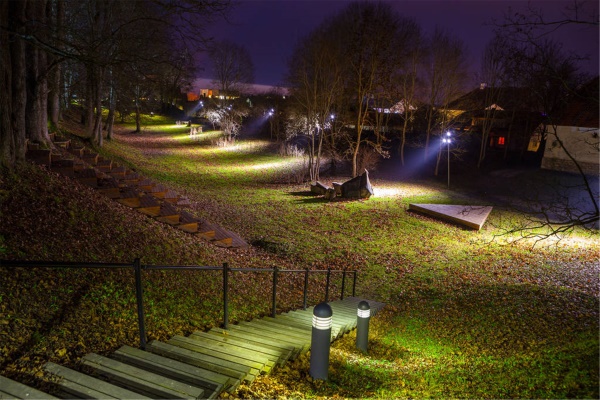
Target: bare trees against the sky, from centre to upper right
(369, 57)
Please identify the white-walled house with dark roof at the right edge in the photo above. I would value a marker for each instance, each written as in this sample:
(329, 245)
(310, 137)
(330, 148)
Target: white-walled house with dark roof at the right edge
(576, 131)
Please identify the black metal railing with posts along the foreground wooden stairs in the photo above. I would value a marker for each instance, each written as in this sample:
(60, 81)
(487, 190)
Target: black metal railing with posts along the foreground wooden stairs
(138, 268)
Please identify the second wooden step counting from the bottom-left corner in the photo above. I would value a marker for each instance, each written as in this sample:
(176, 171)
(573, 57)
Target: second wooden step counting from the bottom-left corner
(76, 384)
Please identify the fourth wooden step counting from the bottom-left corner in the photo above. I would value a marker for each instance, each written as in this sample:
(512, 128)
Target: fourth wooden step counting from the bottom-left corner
(211, 382)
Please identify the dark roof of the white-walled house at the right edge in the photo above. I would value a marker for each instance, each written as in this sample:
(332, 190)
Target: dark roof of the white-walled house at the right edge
(582, 110)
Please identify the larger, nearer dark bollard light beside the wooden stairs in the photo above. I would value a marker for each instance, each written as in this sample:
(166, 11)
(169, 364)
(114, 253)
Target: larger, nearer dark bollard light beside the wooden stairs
(320, 341)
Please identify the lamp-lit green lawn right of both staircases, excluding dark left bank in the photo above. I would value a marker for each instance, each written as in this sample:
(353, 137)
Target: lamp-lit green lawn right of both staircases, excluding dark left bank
(467, 318)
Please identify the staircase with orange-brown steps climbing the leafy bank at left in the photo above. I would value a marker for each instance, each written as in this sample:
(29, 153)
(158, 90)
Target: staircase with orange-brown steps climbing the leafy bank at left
(128, 188)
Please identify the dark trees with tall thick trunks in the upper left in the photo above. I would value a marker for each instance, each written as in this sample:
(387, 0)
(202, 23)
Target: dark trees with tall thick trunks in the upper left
(99, 54)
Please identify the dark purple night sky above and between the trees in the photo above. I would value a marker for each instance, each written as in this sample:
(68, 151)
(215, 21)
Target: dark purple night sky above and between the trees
(269, 29)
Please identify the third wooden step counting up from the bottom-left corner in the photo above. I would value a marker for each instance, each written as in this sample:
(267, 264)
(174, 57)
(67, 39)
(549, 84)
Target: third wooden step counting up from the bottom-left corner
(141, 380)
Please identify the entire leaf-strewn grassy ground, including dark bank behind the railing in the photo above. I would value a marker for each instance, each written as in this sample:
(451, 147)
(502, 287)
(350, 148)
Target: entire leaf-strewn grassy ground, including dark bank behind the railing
(467, 317)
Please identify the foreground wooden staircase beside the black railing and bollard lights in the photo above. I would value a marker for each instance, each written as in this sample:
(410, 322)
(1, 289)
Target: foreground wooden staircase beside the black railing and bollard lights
(202, 365)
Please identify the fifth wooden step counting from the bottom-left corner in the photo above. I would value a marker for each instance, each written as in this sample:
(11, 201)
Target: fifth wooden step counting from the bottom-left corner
(235, 372)
